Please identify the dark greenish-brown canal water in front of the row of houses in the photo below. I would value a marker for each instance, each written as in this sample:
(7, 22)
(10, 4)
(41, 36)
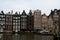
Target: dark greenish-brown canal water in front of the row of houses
(25, 36)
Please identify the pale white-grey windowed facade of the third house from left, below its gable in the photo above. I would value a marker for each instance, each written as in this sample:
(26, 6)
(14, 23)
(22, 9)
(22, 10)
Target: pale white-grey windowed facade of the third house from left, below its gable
(16, 24)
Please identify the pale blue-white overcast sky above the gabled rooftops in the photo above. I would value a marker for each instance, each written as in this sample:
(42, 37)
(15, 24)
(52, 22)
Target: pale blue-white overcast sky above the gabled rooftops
(19, 5)
